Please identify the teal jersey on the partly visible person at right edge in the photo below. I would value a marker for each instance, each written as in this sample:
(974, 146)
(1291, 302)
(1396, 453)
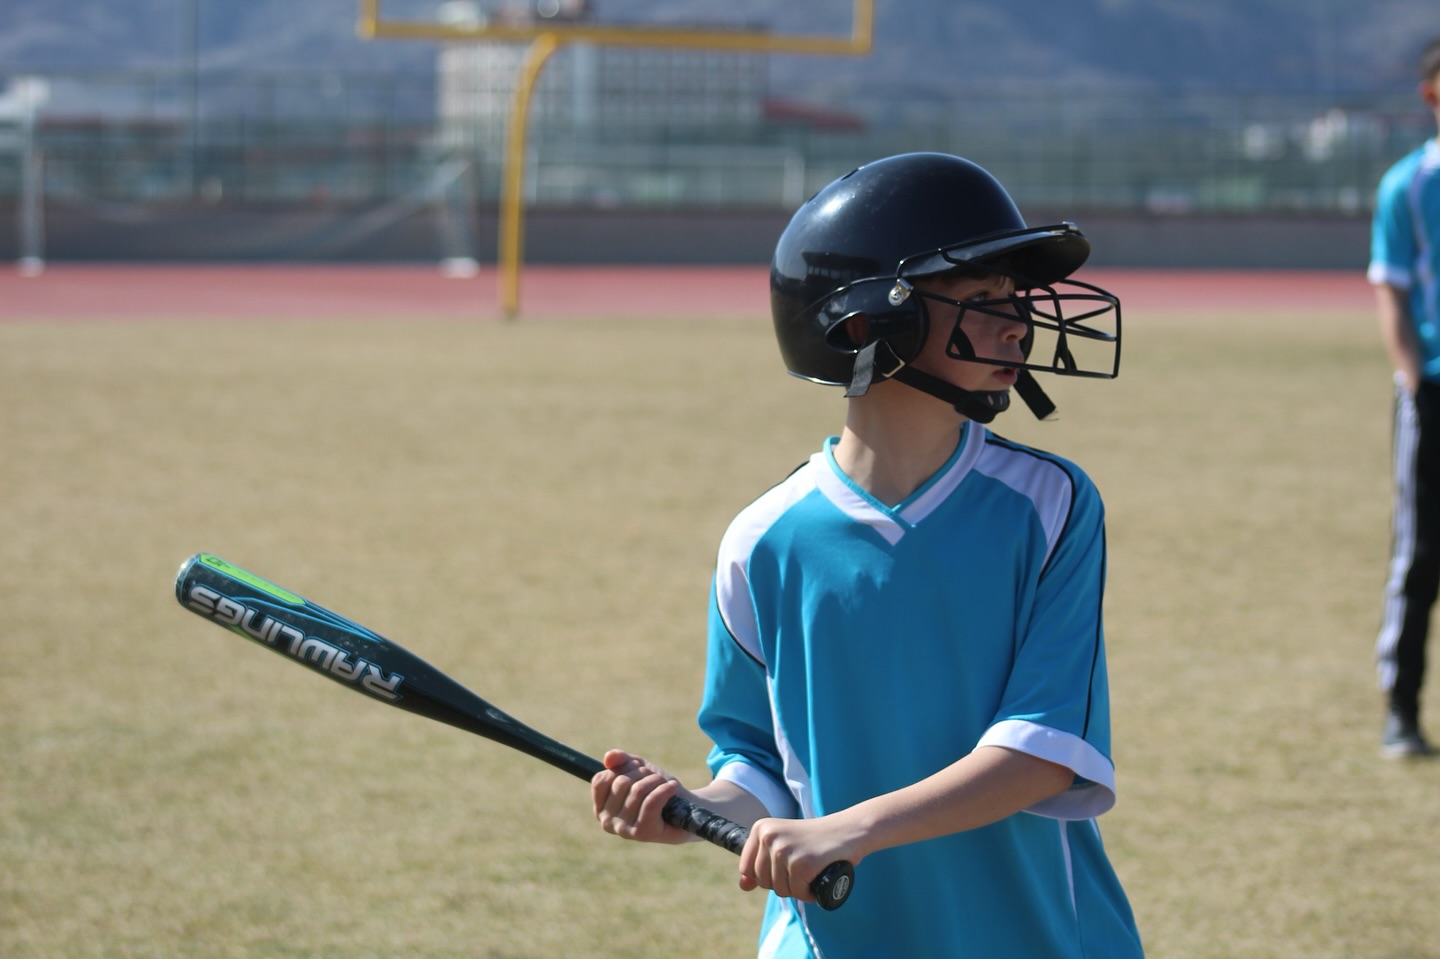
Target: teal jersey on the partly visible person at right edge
(1406, 244)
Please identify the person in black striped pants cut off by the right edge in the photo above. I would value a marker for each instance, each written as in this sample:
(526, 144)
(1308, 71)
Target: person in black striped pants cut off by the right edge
(1405, 269)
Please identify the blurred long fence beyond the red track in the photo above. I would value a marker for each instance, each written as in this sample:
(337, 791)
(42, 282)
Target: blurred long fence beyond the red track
(159, 138)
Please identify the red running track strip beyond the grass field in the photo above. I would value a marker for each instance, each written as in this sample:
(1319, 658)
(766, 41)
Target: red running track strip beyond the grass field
(417, 292)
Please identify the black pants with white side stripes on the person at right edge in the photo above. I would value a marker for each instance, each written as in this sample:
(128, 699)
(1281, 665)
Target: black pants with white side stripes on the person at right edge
(1415, 567)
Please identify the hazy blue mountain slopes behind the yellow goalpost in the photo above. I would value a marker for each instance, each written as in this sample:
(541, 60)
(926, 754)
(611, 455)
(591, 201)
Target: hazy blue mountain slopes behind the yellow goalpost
(925, 51)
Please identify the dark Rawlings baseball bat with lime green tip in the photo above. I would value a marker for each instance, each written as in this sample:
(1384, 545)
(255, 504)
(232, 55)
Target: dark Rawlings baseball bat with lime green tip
(366, 662)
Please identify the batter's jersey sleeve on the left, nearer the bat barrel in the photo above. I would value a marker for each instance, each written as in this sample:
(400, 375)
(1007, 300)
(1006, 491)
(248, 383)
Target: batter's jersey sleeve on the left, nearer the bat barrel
(735, 711)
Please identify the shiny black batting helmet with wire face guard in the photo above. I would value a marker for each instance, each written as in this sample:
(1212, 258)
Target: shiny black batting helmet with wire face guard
(860, 244)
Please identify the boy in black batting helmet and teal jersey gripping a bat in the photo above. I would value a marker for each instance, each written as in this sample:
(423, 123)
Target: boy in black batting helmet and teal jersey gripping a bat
(906, 663)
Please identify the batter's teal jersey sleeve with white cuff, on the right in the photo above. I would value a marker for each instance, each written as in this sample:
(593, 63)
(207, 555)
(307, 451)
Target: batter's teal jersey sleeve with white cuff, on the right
(1058, 705)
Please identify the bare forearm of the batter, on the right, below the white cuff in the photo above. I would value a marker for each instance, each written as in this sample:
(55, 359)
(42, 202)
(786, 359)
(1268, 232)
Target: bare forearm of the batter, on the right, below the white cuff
(983, 788)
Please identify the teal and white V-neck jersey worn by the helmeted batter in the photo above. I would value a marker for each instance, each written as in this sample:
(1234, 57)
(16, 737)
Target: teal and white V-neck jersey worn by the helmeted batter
(856, 649)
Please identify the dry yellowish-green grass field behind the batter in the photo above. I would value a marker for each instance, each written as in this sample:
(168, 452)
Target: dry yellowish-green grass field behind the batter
(535, 508)
